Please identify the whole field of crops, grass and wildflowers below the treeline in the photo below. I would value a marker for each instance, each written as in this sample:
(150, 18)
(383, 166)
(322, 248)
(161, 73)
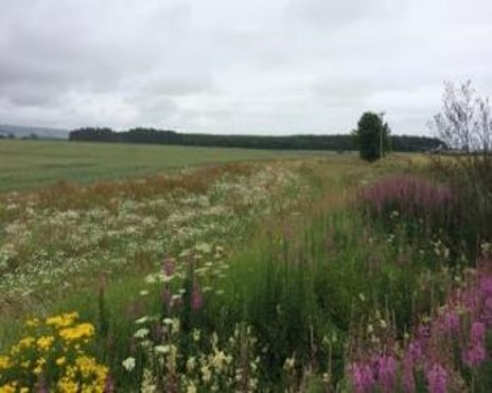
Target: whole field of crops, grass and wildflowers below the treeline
(278, 273)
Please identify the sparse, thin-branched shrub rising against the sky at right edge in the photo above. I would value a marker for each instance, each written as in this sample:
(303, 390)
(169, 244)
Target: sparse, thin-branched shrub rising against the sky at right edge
(465, 127)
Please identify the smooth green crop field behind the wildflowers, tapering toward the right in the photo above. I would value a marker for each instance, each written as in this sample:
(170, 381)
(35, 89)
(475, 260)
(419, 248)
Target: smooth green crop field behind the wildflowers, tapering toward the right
(30, 164)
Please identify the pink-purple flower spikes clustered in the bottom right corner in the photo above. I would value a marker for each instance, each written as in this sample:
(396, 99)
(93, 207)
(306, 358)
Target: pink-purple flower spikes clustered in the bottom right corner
(461, 324)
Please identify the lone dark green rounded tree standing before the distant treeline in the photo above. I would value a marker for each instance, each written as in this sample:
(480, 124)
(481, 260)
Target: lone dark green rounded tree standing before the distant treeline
(372, 136)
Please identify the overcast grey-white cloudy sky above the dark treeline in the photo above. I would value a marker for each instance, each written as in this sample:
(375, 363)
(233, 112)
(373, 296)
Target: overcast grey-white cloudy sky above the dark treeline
(225, 66)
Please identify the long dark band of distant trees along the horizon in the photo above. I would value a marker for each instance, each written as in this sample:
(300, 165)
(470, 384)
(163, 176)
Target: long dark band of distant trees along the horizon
(297, 142)
